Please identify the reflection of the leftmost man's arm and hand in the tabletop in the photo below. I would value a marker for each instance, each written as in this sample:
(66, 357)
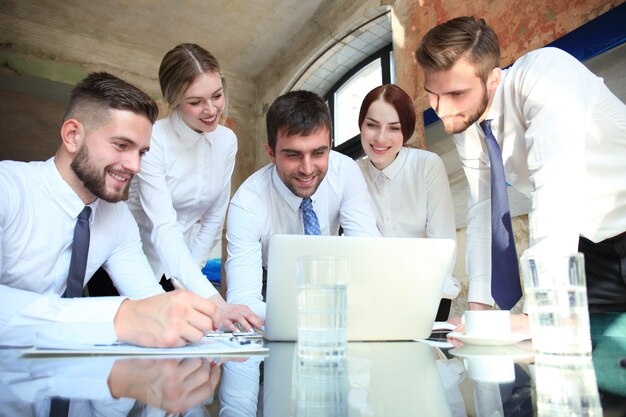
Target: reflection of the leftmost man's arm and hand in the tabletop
(106, 386)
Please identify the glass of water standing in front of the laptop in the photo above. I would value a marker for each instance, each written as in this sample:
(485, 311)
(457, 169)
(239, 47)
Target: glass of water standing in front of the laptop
(322, 306)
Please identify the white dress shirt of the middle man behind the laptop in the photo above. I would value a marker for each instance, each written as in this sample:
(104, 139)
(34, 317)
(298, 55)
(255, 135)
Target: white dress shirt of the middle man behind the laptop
(264, 206)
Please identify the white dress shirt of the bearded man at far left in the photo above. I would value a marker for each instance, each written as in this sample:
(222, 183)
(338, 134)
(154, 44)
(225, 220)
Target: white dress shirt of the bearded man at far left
(37, 218)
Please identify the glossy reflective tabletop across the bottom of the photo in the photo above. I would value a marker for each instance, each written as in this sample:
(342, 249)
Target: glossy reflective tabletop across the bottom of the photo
(374, 379)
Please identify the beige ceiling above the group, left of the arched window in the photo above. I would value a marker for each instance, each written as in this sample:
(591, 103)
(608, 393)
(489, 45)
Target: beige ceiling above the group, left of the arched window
(63, 40)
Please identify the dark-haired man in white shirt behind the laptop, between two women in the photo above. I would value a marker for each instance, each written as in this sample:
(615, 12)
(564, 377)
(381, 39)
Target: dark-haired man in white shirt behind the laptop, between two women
(268, 202)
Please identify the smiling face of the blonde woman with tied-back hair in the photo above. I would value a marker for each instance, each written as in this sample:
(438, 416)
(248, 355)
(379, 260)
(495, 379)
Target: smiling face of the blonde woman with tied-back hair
(203, 102)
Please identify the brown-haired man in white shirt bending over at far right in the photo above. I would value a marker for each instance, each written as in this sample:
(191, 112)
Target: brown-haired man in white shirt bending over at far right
(562, 135)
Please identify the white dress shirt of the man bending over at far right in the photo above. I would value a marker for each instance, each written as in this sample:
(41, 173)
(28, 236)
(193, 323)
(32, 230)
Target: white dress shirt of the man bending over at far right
(563, 140)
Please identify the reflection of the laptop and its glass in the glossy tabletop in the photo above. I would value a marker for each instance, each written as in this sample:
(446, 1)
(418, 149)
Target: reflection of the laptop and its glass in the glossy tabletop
(375, 379)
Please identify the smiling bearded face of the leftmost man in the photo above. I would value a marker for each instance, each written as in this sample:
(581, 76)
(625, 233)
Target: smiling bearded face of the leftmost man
(108, 156)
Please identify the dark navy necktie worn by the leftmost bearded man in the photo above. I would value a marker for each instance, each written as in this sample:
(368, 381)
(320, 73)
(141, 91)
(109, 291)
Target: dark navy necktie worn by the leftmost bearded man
(80, 251)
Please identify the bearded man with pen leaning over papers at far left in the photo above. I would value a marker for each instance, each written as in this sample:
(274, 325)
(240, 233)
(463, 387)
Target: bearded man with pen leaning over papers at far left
(104, 134)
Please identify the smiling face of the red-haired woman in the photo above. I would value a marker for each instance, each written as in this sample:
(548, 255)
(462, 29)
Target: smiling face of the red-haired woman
(381, 134)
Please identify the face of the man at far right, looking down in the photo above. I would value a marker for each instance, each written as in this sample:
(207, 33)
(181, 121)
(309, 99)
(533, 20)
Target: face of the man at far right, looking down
(458, 96)
